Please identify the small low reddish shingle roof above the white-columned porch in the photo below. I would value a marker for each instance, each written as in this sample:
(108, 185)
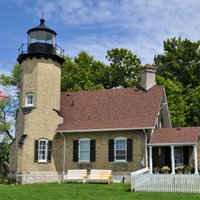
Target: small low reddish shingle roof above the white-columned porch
(164, 136)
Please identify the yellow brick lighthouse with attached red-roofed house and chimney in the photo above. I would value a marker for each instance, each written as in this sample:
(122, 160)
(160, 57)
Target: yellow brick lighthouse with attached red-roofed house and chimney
(106, 129)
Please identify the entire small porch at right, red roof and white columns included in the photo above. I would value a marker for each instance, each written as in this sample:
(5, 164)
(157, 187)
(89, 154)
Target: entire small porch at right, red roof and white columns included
(174, 147)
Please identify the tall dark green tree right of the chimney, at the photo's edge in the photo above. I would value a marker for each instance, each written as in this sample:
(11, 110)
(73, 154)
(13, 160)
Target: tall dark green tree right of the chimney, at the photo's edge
(180, 61)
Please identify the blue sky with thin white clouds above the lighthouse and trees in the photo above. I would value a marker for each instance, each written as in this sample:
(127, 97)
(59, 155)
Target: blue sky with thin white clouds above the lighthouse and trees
(96, 26)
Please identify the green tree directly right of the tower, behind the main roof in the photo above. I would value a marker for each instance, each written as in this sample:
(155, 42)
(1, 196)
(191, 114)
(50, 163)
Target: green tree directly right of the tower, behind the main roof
(84, 73)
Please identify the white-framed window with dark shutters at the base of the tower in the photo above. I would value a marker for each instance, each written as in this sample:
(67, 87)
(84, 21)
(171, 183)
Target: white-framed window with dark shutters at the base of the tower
(43, 150)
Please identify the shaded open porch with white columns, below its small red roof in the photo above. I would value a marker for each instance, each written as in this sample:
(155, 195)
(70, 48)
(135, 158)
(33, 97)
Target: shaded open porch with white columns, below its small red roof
(178, 158)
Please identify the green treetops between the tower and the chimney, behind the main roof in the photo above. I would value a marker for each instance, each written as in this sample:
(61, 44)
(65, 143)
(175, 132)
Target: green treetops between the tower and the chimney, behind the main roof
(85, 73)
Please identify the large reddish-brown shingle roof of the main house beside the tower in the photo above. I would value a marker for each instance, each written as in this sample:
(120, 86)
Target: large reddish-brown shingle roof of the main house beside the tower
(110, 109)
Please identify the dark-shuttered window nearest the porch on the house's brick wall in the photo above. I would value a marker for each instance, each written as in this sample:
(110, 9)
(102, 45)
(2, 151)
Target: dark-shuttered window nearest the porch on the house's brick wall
(120, 149)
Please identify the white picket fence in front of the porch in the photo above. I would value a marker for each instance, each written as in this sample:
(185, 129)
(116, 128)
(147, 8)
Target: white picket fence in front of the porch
(187, 183)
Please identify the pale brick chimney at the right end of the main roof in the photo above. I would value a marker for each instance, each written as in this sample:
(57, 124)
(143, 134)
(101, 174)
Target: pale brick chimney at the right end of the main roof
(148, 76)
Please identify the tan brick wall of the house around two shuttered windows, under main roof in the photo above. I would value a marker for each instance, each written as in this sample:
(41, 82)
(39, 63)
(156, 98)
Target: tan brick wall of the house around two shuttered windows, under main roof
(102, 151)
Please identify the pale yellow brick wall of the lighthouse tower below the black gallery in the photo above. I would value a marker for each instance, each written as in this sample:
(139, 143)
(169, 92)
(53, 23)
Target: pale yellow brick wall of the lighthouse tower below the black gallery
(41, 77)
